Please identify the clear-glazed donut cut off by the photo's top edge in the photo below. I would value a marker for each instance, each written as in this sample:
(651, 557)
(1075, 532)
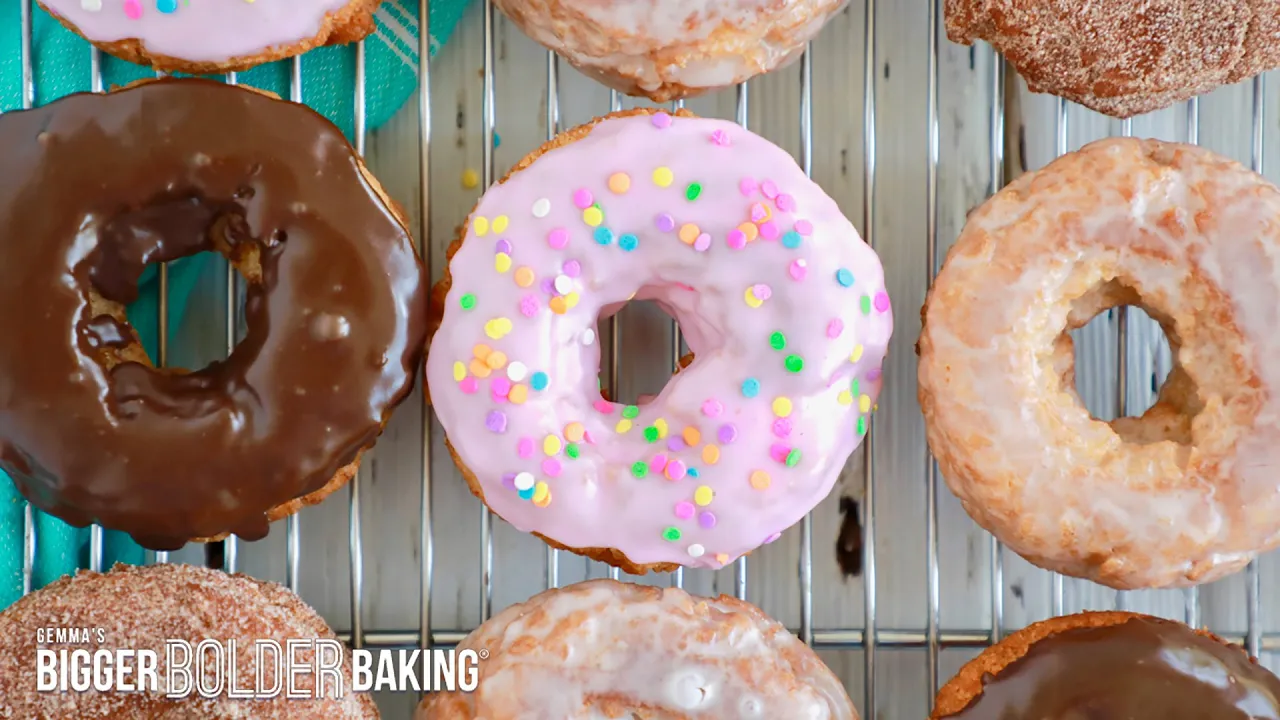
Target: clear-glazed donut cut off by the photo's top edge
(673, 49)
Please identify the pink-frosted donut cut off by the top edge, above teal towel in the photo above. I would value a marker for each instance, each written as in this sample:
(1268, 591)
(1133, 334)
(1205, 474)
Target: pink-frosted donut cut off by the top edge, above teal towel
(208, 38)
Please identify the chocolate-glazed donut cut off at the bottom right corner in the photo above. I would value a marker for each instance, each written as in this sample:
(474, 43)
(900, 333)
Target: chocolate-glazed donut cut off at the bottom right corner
(1110, 666)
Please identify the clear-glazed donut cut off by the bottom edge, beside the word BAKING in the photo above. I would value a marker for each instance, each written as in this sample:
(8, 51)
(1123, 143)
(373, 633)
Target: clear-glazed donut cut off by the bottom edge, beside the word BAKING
(605, 649)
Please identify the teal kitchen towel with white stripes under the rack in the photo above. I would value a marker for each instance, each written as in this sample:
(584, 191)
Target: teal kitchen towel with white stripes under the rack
(61, 66)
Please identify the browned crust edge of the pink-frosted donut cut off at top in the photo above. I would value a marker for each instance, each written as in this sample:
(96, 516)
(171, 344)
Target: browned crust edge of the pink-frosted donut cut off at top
(353, 24)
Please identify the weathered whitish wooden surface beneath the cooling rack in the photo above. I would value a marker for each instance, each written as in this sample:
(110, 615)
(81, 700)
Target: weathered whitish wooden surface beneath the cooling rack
(392, 479)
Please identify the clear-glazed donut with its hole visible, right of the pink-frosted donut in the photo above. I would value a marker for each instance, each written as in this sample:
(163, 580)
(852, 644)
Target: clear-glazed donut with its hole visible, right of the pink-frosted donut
(1186, 494)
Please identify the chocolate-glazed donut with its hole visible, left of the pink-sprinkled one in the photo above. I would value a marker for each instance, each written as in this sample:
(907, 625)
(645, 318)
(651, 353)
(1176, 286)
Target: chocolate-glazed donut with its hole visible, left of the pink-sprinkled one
(93, 188)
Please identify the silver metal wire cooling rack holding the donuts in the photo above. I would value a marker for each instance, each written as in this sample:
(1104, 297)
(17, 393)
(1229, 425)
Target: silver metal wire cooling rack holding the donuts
(871, 639)
